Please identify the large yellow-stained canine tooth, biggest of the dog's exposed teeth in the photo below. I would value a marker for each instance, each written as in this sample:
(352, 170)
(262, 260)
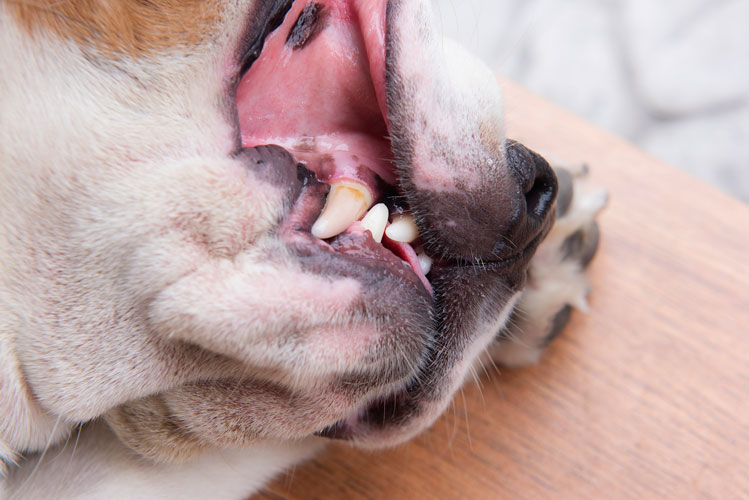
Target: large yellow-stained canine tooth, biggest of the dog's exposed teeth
(346, 203)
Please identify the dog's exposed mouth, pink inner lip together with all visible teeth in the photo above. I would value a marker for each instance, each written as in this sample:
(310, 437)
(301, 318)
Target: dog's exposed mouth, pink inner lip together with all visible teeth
(318, 90)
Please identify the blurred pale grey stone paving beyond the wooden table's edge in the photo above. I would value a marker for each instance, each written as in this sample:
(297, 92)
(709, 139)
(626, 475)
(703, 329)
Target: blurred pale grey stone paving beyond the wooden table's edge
(671, 76)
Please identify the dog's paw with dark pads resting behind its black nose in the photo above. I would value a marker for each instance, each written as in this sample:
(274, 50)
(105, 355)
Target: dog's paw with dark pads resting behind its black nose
(557, 280)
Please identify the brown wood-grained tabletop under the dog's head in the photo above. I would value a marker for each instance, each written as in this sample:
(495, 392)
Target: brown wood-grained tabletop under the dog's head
(647, 396)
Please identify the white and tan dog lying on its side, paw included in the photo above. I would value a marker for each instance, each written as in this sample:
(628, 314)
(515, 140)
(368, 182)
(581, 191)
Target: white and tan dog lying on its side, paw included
(234, 230)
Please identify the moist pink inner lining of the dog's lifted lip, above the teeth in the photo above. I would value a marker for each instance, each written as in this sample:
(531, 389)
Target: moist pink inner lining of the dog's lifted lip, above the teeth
(319, 101)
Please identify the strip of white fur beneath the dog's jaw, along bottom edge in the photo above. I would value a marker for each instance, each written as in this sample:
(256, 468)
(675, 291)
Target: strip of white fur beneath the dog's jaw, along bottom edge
(95, 465)
